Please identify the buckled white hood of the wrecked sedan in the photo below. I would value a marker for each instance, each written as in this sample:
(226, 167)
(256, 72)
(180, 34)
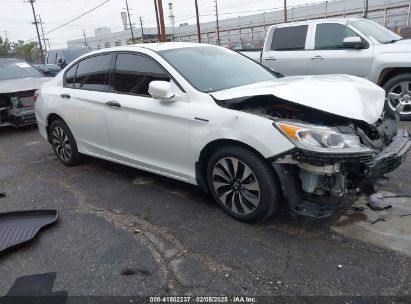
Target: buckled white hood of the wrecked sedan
(342, 95)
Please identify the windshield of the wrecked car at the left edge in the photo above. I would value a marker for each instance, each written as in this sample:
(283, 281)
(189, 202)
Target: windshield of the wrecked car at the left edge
(12, 69)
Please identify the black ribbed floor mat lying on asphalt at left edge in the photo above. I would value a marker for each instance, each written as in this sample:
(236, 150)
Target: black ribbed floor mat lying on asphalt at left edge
(17, 228)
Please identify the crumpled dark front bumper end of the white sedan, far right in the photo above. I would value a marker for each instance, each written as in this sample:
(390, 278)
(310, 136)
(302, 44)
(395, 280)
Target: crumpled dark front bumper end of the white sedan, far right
(391, 157)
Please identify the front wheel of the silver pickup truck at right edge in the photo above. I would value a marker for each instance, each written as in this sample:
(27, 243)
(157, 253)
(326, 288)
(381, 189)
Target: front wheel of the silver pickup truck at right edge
(398, 90)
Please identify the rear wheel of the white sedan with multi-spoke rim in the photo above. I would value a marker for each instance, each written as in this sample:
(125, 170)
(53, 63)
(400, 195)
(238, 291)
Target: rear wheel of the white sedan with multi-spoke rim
(64, 144)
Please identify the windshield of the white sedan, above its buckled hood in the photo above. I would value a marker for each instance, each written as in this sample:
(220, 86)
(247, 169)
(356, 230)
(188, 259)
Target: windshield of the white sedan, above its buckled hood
(211, 69)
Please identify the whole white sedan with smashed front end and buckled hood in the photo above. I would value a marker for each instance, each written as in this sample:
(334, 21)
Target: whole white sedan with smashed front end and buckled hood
(214, 118)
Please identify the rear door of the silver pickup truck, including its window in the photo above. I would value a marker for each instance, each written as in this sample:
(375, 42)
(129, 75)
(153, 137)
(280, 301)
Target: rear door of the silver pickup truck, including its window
(287, 52)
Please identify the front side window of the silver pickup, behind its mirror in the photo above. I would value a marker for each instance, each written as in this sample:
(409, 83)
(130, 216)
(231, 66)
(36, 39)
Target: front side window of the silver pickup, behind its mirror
(330, 36)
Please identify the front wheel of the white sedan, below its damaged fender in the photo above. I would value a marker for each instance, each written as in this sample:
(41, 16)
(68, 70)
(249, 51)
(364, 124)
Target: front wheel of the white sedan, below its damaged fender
(255, 183)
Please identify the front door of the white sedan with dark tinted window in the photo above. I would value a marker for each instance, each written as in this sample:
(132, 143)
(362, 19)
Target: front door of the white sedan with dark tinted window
(143, 131)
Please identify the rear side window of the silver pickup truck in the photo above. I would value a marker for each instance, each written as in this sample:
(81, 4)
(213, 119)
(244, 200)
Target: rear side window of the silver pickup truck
(289, 38)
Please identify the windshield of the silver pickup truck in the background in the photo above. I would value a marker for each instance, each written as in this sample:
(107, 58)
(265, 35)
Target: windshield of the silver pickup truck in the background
(375, 31)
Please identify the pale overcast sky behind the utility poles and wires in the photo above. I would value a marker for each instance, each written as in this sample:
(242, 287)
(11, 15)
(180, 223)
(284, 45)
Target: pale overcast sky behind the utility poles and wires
(17, 16)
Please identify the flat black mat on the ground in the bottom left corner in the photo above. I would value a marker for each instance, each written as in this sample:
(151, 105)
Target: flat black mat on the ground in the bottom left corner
(35, 289)
